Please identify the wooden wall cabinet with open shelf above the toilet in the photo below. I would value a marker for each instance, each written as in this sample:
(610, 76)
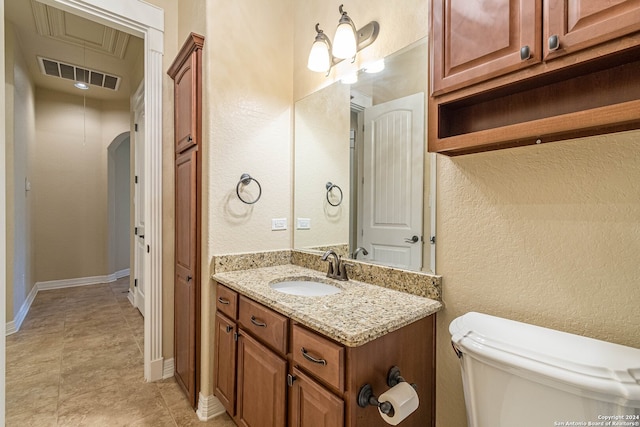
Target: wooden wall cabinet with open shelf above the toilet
(506, 73)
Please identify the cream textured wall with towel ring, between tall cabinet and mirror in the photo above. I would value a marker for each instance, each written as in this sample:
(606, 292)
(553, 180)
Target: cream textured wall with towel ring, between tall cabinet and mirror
(247, 108)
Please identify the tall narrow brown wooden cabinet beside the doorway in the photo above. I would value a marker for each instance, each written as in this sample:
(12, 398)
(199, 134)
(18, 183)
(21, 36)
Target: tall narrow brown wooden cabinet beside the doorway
(186, 72)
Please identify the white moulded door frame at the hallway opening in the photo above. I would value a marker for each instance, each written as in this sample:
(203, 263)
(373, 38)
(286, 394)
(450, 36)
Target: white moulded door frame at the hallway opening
(146, 21)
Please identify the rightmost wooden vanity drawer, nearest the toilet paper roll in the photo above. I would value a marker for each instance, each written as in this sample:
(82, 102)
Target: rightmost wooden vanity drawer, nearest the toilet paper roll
(318, 356)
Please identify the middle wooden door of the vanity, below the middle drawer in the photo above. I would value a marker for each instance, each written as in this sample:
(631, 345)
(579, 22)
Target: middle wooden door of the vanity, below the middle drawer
(261, 385)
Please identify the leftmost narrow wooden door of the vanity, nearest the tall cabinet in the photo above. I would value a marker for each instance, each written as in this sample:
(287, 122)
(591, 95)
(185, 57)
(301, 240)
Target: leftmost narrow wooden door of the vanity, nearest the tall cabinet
(224, 369)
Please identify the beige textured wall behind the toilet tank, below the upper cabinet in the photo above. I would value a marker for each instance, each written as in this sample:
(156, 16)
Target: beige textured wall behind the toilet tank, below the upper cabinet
(548, 235)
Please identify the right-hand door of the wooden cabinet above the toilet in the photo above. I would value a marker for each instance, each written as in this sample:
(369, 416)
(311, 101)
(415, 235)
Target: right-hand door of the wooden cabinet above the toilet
(579, 24)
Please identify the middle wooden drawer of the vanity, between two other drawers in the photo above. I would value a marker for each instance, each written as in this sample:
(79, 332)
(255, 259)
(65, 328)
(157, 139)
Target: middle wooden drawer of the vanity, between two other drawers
(264, 324)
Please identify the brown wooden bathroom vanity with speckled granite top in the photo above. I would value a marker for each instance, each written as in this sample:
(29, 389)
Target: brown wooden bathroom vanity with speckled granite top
(282, 359)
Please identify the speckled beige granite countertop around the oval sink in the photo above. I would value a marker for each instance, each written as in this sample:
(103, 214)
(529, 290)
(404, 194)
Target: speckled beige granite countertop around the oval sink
(353, 317)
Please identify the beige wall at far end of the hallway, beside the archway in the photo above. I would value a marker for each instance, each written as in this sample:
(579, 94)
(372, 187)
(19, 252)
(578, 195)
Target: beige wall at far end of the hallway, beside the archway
(69, 183)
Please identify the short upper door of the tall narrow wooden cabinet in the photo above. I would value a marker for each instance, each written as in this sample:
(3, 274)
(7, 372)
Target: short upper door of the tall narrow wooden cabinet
(185, 106)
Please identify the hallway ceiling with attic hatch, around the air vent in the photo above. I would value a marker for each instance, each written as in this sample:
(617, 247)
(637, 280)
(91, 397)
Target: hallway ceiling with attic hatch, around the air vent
(48, 32)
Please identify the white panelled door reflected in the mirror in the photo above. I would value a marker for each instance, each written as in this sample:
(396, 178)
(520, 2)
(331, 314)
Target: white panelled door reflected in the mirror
(392, 184)
